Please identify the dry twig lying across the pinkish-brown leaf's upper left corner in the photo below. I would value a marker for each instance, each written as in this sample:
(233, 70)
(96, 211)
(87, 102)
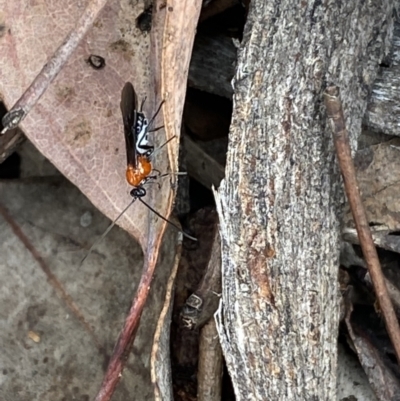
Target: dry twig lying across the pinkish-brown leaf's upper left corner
(52, 68)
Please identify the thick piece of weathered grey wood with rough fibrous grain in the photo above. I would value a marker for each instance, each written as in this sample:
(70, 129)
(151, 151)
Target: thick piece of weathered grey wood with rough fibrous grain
(282, 199)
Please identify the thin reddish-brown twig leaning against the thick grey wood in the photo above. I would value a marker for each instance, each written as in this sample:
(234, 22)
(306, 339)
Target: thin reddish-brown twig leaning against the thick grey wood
(341, 140)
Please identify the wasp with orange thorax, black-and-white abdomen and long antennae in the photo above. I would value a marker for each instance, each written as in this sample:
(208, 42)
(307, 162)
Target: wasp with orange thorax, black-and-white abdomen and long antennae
(139, 154)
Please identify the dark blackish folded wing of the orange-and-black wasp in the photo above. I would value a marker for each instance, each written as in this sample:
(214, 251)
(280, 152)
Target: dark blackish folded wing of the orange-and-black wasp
(129, 106)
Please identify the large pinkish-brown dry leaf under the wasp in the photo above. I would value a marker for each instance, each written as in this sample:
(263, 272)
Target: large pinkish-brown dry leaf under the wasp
(77, 124)
